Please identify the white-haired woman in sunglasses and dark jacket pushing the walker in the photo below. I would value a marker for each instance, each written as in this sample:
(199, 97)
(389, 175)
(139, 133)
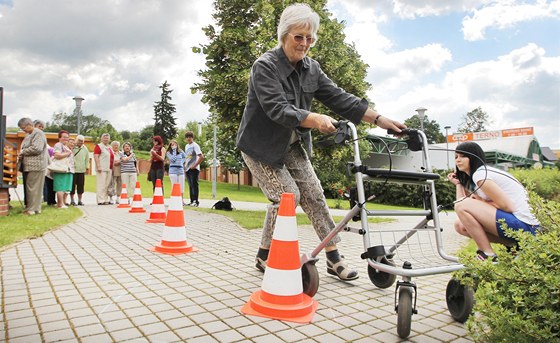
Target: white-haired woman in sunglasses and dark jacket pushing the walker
(274, 135)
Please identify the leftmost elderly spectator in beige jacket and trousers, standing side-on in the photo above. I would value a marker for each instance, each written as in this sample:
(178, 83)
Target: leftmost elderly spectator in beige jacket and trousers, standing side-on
(34, 159)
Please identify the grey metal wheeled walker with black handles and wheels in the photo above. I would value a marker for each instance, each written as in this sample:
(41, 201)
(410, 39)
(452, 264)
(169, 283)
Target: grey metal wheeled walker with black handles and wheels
(408, 253)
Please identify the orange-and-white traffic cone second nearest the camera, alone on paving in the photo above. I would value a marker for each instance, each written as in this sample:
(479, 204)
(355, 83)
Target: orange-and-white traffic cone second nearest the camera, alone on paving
(174, 237)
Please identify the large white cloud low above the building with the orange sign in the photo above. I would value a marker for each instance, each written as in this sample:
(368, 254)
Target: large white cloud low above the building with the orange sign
(513, 89)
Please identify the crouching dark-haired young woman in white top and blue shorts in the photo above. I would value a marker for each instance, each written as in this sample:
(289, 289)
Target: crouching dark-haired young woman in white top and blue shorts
(487, 197)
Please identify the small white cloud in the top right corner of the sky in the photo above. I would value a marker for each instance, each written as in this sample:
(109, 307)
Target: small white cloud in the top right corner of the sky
(505, 14)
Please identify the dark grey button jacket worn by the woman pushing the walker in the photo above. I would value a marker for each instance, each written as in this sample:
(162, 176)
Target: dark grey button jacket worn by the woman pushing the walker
(279, 98)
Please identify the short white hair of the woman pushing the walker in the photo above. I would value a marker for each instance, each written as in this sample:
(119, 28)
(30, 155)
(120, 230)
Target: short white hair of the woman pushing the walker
(298, 15)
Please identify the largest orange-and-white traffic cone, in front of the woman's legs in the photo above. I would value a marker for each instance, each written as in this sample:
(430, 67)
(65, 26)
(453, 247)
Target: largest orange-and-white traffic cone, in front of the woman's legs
(281, 295)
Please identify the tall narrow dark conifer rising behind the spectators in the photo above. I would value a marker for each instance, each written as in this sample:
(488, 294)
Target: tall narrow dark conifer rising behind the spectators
(164, 121)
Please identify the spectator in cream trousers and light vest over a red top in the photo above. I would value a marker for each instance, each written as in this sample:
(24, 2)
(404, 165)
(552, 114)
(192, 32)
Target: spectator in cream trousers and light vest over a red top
(103, 157)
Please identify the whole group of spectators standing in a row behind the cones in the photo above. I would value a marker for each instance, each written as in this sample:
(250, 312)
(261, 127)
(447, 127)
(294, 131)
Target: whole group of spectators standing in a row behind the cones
(114, 167)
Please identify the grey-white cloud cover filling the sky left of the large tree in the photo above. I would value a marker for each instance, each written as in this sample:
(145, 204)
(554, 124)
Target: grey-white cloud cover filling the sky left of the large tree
(115, 54)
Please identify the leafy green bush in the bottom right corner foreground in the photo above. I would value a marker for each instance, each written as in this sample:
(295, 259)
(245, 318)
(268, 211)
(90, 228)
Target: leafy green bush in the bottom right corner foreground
(518, 298)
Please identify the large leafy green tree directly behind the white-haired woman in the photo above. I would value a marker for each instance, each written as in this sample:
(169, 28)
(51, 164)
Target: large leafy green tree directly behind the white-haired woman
(246, 29)
